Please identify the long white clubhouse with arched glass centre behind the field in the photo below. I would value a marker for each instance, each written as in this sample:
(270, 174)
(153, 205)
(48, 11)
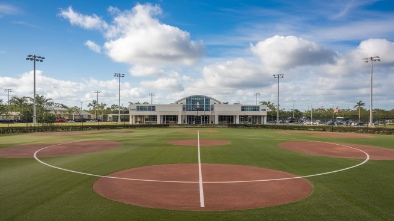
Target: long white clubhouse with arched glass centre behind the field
(197, 109)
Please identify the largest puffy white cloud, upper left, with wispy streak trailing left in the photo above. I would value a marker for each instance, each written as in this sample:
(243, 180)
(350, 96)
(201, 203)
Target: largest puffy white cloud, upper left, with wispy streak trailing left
(137, 37)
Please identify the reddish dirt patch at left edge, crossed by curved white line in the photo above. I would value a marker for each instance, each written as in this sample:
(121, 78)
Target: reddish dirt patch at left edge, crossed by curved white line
(59, 149)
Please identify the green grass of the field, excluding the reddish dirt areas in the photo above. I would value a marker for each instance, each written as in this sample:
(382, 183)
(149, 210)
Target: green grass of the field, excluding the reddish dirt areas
(32, 191)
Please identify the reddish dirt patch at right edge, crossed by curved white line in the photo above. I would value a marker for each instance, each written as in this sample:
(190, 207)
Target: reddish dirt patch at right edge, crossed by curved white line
(339, 150)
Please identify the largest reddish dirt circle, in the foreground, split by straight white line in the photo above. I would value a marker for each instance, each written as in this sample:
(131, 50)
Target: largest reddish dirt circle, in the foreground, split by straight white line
(217, 196)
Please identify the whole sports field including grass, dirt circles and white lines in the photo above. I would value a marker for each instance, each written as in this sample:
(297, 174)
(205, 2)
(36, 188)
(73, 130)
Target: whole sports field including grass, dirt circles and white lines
(196, 174)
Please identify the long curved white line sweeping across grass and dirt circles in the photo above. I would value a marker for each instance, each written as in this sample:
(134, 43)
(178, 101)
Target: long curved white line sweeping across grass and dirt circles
(207, 182)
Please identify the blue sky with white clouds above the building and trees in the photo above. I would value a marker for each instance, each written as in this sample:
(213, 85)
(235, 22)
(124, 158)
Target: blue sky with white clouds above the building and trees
(226, 49)
